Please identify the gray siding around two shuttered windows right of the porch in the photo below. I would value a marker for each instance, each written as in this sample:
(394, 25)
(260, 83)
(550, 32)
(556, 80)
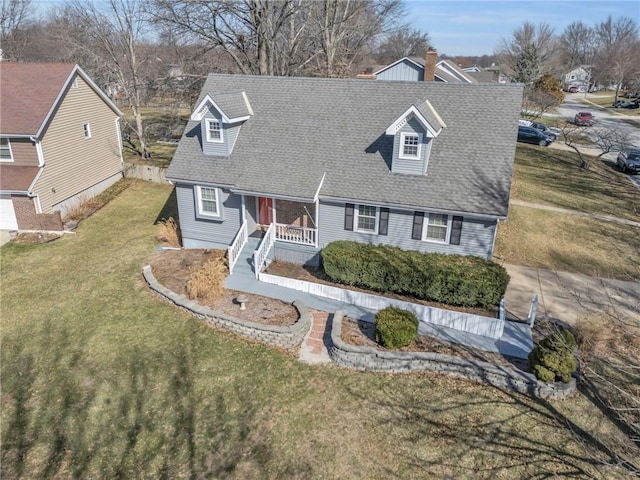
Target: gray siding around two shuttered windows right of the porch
(476, 238)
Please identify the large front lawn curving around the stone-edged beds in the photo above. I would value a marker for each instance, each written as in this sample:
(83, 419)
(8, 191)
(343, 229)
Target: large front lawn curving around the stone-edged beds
(101, 379)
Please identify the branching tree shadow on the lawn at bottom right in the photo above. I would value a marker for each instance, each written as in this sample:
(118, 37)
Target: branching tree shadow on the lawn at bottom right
(463, 438)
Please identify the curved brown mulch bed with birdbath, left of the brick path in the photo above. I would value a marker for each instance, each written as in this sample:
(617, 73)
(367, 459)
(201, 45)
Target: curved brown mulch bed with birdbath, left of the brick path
(171, 269)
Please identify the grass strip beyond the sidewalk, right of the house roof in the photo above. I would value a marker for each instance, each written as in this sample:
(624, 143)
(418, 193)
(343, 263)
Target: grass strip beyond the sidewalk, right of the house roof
(553, 177)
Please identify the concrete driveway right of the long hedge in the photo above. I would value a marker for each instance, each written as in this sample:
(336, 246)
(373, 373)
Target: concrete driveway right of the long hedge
(570, 296)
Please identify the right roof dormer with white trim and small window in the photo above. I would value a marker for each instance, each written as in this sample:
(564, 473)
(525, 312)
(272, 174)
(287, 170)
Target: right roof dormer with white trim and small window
(414, 132)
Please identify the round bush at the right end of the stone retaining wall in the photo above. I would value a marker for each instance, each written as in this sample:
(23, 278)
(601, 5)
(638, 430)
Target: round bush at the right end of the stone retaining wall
(553, 358)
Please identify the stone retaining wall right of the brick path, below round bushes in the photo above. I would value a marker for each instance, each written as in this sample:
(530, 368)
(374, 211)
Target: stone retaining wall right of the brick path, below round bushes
(372, 359)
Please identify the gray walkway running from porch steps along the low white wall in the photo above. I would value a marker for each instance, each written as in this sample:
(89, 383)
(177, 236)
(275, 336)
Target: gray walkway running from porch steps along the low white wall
(515, 341)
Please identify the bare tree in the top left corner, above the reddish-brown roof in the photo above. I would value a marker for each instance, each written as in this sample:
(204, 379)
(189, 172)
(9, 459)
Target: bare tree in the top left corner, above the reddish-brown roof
(14, 17)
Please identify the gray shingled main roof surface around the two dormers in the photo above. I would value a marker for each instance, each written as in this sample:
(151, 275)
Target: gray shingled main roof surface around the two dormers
(304, 127)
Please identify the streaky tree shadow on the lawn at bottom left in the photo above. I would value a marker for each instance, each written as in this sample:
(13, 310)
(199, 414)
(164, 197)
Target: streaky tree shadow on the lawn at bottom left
(67, 417)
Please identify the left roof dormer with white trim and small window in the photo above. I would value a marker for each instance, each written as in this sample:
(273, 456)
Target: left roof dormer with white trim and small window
(221, 117)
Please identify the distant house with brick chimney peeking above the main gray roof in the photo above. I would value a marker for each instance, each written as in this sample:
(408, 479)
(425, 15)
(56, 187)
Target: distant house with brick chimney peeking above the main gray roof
(427, 69)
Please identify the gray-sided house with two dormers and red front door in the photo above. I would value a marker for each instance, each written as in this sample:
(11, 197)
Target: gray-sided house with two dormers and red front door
(421, 165)
